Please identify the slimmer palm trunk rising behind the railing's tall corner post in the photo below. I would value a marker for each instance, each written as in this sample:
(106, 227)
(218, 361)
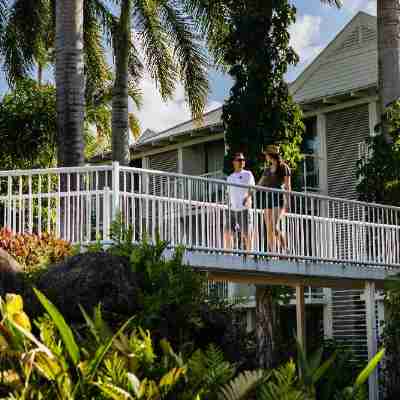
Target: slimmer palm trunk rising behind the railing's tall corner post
(120, 119)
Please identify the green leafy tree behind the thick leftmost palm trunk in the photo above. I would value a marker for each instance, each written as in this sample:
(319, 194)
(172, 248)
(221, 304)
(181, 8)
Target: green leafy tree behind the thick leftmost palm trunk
(28, 126)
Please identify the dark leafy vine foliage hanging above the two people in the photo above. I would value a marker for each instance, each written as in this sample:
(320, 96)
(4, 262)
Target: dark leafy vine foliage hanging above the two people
(260, 110)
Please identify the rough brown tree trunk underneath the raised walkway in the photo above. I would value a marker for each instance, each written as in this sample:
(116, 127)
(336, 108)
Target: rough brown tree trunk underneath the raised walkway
(267, 327)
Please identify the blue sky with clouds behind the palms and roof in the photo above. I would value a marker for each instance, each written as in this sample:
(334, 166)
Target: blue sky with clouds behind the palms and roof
(316, 26)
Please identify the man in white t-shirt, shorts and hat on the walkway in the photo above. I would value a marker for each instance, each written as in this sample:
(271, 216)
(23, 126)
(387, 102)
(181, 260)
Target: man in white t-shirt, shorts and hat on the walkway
(239, 219)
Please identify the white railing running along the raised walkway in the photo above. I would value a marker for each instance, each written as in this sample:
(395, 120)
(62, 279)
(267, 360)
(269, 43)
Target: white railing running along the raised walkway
(78, 204)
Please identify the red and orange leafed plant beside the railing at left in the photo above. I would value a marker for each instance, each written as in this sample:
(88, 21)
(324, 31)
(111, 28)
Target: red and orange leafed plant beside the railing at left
(33, 250)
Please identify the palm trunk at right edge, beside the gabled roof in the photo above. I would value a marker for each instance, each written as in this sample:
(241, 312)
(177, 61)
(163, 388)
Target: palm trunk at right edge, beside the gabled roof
(388, 52)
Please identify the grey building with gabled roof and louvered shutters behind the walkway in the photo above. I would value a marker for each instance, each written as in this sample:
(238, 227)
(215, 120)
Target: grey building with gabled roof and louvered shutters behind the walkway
(338, 95)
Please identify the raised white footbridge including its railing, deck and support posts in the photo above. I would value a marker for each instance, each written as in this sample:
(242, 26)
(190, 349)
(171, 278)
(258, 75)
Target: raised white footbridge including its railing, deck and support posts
(332, 242)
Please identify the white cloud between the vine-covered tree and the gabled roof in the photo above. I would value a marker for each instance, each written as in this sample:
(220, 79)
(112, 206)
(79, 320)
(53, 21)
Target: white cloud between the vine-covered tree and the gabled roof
(305, 37)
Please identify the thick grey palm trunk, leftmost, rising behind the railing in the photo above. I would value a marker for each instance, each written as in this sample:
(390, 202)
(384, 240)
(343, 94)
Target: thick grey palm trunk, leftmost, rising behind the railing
(70, 82)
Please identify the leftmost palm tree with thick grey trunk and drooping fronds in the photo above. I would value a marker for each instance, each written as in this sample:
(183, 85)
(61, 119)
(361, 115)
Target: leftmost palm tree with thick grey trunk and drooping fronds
(27, 32)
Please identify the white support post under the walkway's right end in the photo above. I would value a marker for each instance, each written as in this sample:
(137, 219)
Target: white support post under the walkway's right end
(371, 337)
